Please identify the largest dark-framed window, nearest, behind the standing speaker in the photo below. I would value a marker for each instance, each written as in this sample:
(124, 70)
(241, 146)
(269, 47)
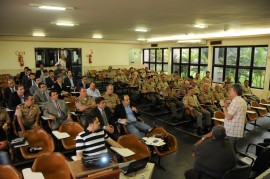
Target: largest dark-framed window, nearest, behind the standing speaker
(241, 63)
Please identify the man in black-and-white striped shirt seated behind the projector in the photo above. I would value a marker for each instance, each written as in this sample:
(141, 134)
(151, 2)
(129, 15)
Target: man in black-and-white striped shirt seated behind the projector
(91, 142)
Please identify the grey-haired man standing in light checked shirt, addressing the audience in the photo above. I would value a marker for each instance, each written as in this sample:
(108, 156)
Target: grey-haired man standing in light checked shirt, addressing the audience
(235, 114)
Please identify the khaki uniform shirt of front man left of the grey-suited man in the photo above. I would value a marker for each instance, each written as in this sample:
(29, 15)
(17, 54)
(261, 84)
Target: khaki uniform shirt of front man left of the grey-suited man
(29, 114)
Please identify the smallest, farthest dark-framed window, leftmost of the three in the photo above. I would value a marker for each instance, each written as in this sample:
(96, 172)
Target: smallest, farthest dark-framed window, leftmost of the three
(156, 59)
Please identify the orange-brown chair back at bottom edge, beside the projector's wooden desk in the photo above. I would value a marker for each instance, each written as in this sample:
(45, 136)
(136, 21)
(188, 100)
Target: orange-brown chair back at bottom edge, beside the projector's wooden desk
(52, 166)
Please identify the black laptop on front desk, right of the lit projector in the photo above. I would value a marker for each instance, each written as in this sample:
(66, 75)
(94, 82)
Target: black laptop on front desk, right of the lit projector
(135, 166)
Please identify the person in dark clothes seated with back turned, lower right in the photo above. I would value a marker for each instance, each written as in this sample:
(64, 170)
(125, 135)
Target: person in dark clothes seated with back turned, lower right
(213, 155)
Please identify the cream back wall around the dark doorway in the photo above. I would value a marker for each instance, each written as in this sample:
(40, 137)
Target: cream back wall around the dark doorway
(104, 54)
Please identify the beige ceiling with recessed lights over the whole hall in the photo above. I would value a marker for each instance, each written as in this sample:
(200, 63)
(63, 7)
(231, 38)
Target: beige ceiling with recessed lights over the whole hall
(117, 19)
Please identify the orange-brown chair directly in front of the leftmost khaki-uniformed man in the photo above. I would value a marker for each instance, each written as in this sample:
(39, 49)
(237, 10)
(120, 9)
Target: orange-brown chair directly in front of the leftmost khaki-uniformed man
(37, 138)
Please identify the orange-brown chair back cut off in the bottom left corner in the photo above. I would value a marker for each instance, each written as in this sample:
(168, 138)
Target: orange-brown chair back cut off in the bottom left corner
(9, 172)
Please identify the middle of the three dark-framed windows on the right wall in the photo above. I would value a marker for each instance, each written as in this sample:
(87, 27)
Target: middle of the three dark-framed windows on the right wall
(190, 60)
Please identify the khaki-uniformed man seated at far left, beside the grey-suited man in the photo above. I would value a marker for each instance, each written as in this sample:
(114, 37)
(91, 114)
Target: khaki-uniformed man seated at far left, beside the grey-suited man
(28, 114)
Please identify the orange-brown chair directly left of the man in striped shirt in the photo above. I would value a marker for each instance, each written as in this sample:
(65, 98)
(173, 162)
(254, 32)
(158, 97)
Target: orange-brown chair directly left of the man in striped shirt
(73, 129)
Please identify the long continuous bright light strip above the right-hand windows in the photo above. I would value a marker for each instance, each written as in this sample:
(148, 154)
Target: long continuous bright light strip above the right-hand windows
(230, 33)
